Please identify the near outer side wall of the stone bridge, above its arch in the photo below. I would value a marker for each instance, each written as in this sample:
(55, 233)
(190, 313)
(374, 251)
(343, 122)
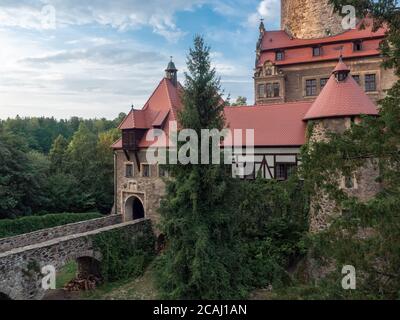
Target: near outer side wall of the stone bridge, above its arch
(20, 268)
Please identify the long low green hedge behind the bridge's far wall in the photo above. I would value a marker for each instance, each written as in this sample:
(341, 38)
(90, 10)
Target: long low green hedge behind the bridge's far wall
(14, 227)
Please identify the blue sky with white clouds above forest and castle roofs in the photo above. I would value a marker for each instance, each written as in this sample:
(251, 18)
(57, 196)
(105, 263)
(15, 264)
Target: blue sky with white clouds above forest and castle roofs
(94, 59)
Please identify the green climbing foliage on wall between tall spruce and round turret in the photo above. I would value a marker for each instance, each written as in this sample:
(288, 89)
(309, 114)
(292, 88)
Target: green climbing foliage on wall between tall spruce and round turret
(273, 223)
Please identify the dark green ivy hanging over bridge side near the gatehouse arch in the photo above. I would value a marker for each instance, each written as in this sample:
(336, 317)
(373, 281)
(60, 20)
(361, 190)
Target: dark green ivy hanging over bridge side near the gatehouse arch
(125, 254)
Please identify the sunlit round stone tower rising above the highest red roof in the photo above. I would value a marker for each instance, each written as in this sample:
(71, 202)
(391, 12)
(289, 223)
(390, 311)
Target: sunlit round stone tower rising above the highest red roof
(308, 19)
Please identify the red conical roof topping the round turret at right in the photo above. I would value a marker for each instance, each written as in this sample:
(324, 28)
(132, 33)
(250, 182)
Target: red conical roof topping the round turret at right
(344, 98)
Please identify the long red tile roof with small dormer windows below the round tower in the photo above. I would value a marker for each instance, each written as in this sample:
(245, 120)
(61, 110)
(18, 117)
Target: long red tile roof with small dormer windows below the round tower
(300, 50)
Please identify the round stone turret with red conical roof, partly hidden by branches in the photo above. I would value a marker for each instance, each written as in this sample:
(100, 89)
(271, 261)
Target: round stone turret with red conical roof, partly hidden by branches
(339, 104)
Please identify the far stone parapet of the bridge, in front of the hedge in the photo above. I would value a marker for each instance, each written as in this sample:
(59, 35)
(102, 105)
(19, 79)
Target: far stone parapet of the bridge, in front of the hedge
(43, 235)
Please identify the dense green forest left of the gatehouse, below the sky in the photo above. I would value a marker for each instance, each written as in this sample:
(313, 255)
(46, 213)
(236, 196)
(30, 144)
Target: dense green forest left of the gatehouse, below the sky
(53, 166)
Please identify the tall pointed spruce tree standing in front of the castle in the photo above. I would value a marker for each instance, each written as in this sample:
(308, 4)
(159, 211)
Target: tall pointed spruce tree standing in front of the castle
(202, 259)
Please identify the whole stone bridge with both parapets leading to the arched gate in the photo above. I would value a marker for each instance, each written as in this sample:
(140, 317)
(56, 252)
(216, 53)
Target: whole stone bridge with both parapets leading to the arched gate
(23, 257)
